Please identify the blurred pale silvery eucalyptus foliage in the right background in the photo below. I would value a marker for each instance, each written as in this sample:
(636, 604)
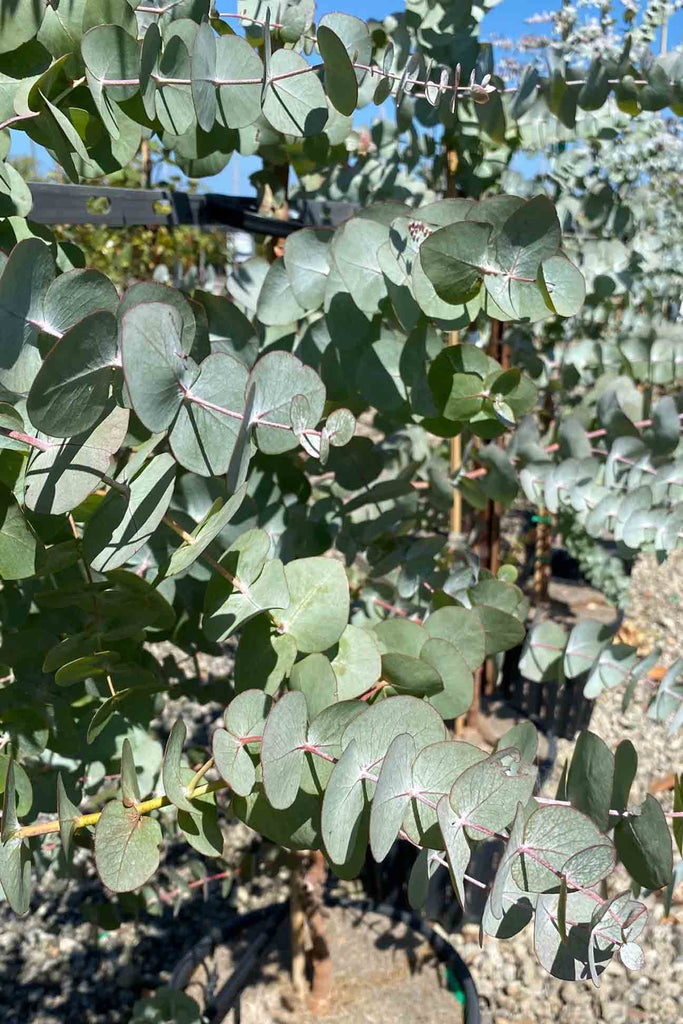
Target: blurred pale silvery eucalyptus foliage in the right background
(620, 357)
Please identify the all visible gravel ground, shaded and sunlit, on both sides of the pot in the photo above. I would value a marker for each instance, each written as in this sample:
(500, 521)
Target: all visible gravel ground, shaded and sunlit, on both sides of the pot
(56, 969)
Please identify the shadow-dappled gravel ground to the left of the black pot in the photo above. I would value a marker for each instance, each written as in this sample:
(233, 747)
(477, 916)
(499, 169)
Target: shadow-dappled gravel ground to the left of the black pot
(57, 969)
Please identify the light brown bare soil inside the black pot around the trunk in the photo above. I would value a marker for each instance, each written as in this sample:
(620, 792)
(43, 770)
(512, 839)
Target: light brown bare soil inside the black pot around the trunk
(383, 972)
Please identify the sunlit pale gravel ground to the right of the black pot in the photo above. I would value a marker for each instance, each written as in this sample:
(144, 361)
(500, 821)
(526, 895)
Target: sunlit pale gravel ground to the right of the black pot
(513, 987)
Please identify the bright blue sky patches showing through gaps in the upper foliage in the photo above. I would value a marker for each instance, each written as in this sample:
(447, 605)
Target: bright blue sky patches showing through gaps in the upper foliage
(508, 19)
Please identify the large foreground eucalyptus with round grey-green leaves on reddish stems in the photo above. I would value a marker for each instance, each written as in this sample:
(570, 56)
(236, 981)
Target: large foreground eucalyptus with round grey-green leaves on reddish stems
(264, 468)
